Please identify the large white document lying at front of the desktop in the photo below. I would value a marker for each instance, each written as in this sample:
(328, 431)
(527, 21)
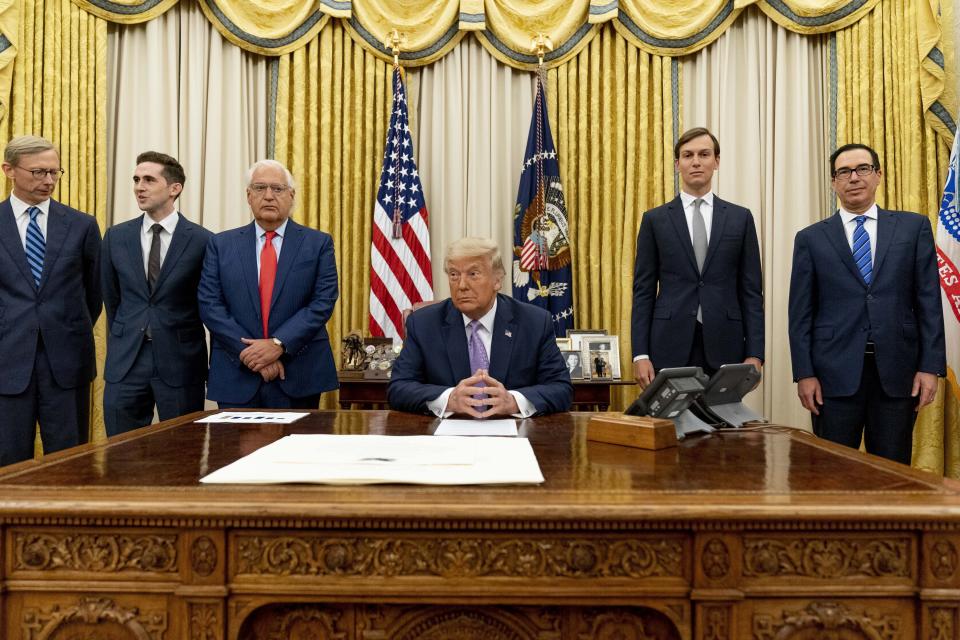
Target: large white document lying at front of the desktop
(365, 459)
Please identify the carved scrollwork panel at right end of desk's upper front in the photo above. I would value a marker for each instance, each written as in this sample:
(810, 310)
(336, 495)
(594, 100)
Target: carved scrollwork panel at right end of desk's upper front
(827, 558)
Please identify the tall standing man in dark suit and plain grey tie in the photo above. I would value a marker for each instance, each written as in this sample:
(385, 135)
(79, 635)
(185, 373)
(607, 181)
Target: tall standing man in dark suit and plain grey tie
(697, 285)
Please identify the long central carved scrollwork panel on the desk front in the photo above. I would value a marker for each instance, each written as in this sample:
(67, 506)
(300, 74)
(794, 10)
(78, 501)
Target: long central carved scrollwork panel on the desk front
(459, 557)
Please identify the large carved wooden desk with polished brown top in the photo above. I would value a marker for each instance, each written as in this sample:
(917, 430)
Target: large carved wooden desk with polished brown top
(768, 535)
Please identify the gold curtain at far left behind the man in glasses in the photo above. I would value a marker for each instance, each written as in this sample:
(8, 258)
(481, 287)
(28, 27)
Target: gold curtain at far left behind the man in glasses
(59, 89)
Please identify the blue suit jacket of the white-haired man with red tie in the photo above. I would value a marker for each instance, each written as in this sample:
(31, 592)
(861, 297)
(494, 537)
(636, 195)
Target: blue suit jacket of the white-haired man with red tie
(303, 297)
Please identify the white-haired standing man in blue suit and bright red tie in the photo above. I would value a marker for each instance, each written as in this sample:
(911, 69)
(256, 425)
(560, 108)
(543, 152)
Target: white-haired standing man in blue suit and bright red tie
(266, 293)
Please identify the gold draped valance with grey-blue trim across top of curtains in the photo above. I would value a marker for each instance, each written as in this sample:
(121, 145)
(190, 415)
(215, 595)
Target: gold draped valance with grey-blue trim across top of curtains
(431, 28)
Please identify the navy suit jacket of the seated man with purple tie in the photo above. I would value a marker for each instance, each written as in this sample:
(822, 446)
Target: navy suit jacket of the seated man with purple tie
(523, 356)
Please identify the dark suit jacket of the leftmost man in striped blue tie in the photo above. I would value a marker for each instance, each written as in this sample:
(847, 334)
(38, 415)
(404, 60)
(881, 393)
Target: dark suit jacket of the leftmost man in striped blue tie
(62, 311)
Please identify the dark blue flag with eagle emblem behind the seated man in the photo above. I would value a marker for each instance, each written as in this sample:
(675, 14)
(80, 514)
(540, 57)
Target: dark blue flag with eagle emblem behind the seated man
(542, 274)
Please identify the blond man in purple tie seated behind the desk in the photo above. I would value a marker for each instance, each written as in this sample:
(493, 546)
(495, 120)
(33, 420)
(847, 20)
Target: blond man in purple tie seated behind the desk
(444, 368)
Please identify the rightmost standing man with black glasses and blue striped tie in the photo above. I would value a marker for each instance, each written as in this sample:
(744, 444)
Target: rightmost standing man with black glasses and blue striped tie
(866, 323)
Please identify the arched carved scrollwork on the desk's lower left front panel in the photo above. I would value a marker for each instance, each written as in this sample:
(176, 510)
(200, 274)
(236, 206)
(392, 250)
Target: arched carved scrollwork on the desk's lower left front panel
(99, 618)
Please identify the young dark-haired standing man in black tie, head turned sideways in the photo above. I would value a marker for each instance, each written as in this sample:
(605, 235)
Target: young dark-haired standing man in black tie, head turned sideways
(149, 271)
